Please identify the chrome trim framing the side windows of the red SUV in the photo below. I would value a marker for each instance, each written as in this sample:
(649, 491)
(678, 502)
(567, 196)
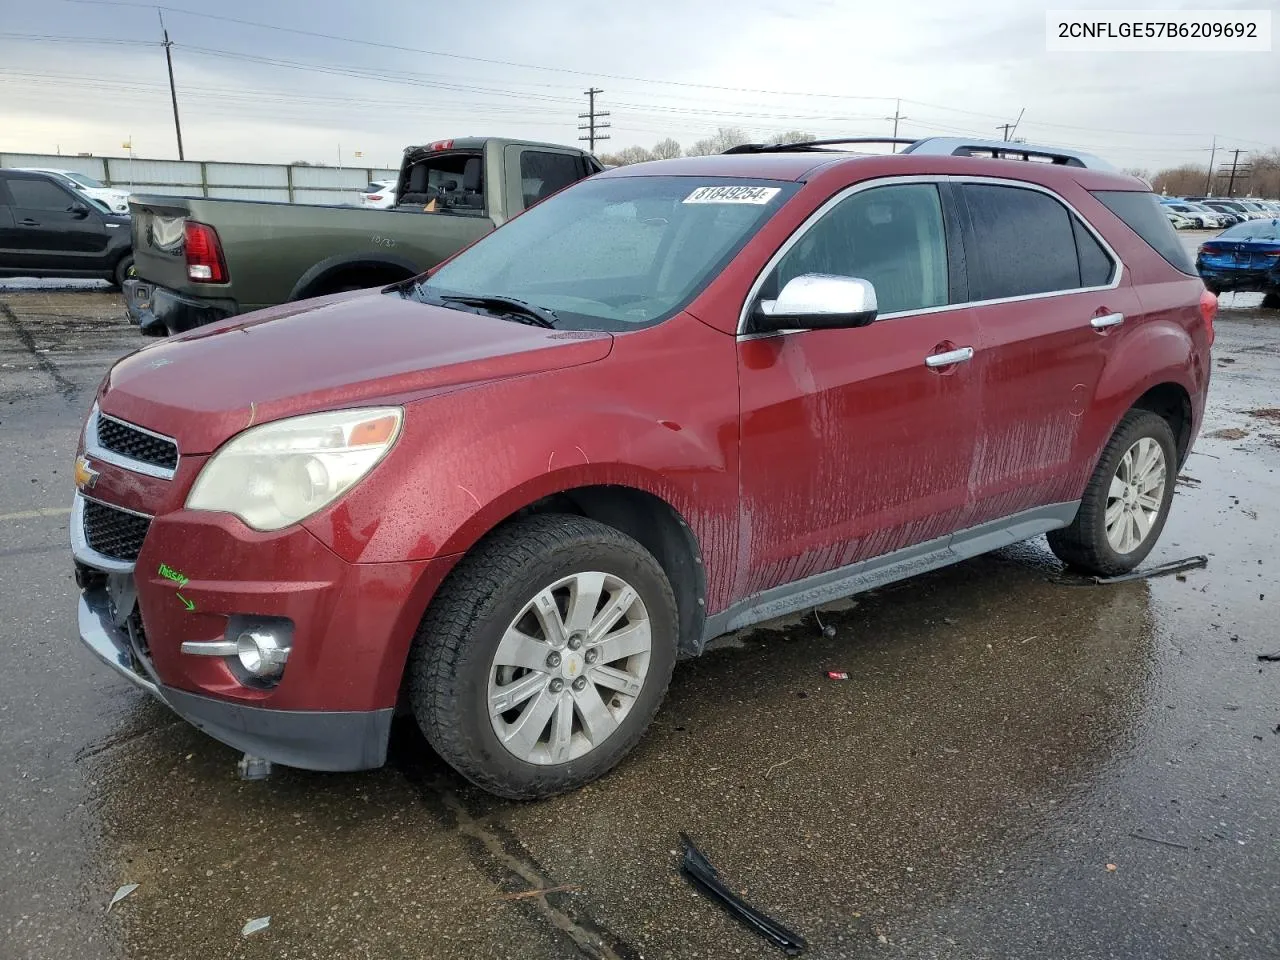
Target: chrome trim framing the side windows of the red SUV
(1118, 267)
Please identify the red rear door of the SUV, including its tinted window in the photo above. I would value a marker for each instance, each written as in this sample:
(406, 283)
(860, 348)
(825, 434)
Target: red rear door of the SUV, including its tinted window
(1052, 301)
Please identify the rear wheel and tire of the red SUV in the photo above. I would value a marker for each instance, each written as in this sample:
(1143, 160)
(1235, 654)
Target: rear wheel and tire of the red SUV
(1086, 545)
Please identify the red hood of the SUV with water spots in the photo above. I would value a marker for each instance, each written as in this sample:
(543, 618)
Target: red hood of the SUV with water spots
(346, 350)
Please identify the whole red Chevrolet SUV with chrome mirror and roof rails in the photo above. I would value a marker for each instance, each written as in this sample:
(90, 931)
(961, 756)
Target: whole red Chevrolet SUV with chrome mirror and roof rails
(671, 401)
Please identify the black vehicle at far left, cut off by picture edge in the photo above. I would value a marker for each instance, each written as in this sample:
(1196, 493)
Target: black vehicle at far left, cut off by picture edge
(49, 230)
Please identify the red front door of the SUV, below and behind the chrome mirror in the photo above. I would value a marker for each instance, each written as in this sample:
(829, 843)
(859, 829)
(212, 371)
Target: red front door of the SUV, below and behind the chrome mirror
(853, 444)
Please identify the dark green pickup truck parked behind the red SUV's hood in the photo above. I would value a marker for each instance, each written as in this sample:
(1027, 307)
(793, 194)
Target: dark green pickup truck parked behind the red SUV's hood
(202, 260)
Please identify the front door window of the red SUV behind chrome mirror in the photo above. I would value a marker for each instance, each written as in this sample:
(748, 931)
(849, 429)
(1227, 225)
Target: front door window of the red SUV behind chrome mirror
(892, 236)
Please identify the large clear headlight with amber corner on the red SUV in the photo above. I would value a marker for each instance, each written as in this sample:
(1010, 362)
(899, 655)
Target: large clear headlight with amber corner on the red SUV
(278, 474)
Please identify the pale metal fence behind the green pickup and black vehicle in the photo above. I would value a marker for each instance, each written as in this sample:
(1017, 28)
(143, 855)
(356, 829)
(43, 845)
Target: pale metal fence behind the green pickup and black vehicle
(221, 181)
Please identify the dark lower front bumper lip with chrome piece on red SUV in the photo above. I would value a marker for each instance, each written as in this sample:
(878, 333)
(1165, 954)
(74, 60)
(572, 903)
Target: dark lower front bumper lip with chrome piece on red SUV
(316, 740)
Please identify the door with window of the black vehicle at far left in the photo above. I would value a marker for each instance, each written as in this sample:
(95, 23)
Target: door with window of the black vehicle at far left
(54, 228)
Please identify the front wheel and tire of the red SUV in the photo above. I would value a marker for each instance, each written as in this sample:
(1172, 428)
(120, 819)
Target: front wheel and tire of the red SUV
(456, 661)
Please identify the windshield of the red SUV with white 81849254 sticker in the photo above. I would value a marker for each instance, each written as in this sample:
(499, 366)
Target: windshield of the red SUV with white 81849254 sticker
(614, 254)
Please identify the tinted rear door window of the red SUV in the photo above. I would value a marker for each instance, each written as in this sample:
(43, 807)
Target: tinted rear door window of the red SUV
(1025, 244)
